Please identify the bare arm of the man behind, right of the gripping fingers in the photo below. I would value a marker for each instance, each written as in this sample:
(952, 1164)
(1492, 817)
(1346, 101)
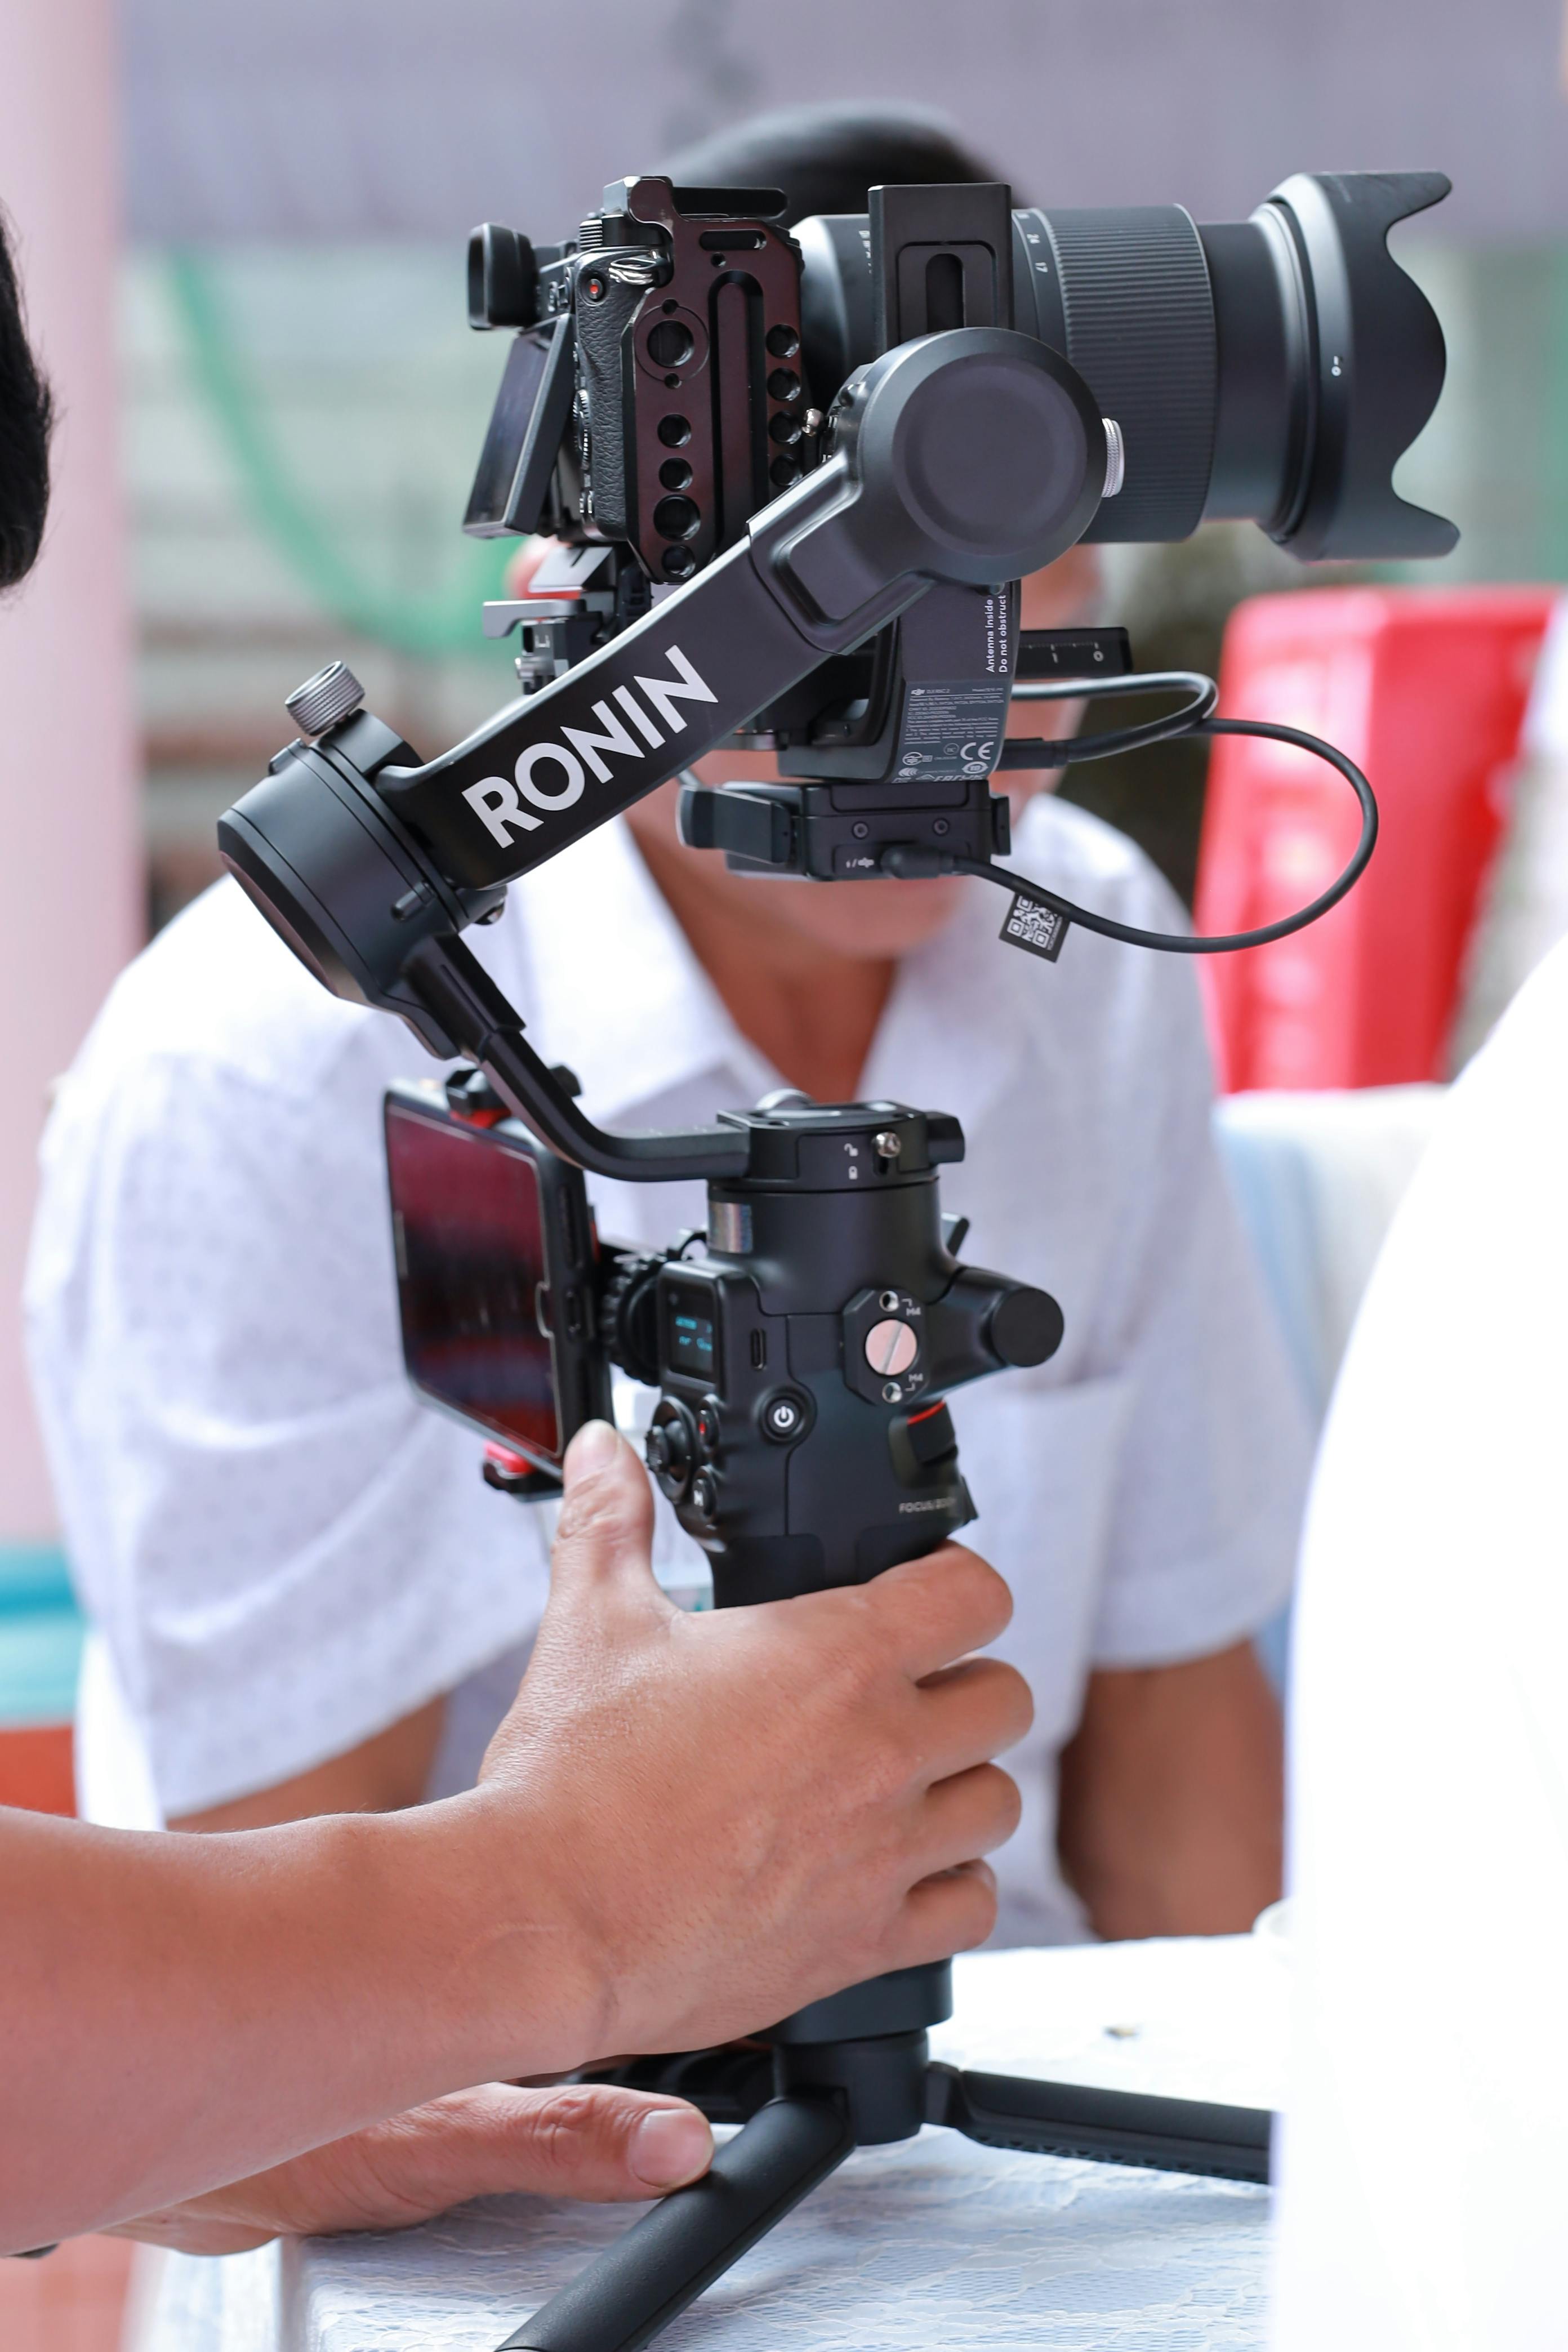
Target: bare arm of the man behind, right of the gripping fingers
(1172, 1798)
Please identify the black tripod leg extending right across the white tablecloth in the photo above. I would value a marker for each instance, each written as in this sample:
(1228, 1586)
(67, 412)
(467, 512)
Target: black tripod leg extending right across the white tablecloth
(1111, 2127)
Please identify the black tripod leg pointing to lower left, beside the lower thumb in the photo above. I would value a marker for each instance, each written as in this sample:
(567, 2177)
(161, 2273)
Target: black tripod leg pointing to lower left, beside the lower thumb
(695, 2236)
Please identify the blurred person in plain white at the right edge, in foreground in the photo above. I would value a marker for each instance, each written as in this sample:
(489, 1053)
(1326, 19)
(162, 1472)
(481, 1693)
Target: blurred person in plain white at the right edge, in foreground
(1423, 2177)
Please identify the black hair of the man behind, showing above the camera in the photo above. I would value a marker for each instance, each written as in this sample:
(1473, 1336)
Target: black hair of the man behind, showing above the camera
(829, 156)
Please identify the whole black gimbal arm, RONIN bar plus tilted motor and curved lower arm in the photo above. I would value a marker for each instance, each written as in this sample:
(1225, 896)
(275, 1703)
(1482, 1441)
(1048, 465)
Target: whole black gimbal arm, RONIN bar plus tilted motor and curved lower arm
(965, 457)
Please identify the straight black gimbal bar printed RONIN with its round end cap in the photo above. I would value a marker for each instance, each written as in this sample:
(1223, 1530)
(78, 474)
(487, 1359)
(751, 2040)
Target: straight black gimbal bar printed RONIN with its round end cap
(965, 457)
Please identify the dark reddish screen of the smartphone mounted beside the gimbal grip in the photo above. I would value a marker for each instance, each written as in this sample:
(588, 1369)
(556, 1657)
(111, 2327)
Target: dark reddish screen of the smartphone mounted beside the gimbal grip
(467, 1227)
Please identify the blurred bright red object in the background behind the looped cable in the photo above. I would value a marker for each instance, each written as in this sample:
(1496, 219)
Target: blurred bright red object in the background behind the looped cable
(1426, 690)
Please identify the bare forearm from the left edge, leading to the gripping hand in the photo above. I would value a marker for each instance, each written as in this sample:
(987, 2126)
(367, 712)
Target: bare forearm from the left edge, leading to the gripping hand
(180, 2012)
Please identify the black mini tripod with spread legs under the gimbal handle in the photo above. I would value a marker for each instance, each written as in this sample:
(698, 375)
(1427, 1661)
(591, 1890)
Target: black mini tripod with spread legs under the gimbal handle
(852, 2073)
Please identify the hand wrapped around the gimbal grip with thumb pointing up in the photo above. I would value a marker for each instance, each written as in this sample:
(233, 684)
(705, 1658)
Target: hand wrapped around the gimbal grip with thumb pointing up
(751, 1808)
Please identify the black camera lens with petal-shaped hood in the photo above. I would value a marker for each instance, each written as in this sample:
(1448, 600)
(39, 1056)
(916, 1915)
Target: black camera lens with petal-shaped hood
(1273, 368)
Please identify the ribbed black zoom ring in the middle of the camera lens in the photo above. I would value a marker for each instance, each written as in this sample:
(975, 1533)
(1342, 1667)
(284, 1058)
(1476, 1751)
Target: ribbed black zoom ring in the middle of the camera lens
(1141, 335)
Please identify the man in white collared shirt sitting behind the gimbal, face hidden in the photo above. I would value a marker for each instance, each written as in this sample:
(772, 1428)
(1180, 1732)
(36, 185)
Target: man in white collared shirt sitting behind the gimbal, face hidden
(304, 1593)
